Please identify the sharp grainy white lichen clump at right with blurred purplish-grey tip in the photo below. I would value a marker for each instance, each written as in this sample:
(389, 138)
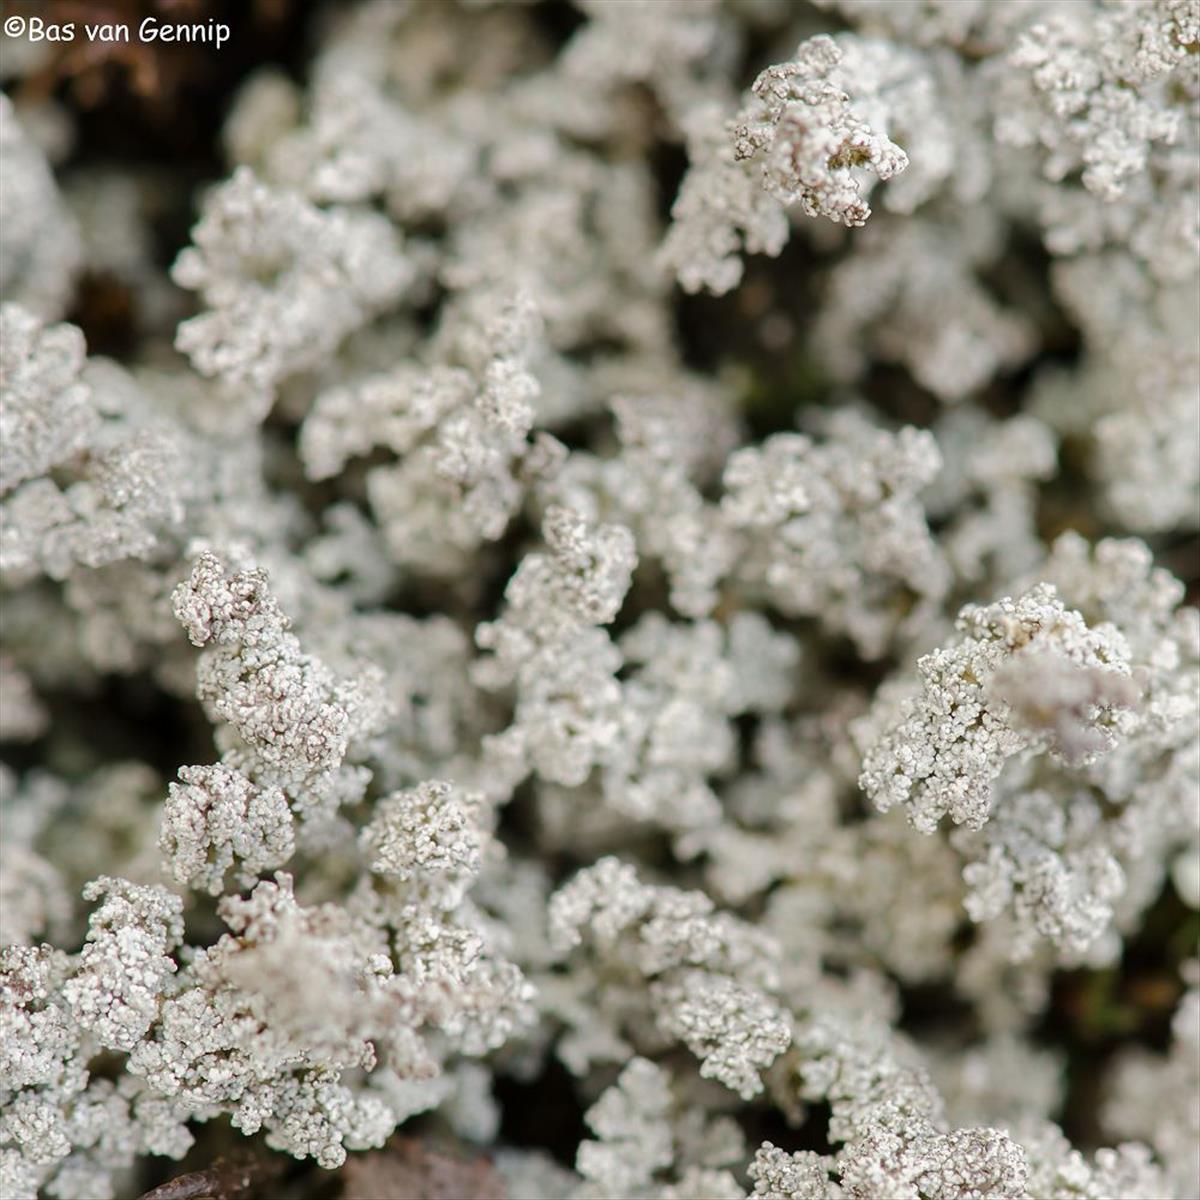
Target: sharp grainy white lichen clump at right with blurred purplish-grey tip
(1027, 676)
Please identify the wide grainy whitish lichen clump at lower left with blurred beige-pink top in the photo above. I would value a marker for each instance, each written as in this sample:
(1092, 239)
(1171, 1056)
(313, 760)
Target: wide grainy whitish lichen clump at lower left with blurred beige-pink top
(267, 1022)
